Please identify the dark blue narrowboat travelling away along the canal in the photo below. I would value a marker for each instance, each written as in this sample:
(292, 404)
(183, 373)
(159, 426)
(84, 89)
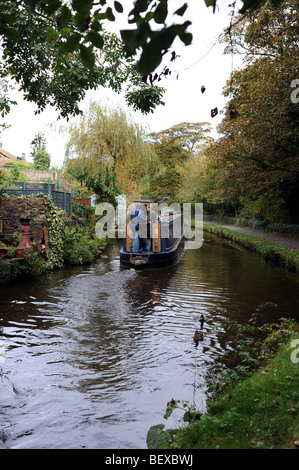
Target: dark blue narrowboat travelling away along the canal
(166, 244)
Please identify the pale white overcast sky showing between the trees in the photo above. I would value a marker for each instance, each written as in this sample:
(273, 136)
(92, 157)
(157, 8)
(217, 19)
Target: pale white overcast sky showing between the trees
(200, 64)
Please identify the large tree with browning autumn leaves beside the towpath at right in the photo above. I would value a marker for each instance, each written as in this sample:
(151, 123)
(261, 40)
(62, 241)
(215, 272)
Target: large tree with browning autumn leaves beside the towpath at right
(258, 150)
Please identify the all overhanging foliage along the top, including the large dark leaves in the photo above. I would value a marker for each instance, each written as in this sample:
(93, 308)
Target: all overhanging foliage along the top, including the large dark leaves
(56, 49)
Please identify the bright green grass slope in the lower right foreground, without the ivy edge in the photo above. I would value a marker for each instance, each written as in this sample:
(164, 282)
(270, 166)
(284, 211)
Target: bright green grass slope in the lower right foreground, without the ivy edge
(260, 412)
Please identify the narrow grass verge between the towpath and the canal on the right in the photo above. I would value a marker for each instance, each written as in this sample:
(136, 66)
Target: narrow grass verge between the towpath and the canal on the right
(286, 256)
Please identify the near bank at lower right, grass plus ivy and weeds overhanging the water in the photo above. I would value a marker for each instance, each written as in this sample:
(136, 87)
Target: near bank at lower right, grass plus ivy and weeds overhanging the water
(254, 402)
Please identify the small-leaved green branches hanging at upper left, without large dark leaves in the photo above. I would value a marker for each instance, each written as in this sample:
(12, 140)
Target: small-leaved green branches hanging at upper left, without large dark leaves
(43, 53)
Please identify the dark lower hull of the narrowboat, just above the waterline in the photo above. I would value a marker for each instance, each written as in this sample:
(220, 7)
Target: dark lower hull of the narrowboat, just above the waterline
(150, 259)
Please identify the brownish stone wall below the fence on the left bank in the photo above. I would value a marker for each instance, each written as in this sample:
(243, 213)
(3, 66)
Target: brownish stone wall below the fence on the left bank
(14, 209)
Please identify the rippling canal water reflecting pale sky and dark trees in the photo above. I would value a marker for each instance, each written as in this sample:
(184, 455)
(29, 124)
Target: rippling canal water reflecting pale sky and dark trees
(90, 356)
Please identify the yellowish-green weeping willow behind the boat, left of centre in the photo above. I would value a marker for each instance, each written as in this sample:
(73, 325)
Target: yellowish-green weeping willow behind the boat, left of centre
(107, 150)
